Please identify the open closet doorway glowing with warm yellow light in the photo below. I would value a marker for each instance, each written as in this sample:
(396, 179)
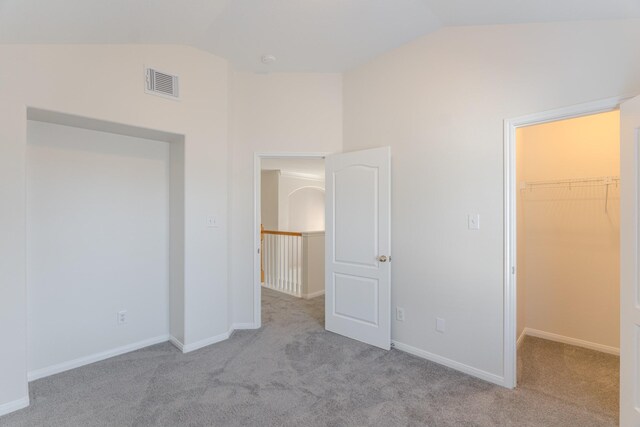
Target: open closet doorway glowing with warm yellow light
(567, 246)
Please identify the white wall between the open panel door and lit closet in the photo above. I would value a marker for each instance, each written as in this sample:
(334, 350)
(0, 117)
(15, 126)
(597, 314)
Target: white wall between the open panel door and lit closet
(440, 102)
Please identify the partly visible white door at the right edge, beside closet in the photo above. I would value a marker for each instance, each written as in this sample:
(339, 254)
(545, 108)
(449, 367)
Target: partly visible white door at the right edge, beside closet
(629, 264)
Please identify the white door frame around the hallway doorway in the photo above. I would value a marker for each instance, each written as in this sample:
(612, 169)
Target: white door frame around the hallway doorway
(257, 220)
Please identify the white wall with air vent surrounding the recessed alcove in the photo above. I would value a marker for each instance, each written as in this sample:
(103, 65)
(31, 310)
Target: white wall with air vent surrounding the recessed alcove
(106, 82)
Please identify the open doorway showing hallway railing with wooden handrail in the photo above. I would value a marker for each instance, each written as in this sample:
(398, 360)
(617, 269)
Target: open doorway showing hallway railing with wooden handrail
(290, 220)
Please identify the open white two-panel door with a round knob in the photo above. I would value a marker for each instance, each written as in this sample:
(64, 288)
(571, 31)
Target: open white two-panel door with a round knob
(358, 245)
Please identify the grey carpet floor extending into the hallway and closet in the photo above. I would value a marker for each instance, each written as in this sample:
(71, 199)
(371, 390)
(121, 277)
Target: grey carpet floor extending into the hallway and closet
(293, 373)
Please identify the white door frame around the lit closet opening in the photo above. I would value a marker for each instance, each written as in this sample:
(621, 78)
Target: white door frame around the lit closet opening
(510, 223)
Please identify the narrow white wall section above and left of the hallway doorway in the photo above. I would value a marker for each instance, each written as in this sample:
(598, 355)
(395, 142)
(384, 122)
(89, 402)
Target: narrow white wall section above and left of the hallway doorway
(272, 113)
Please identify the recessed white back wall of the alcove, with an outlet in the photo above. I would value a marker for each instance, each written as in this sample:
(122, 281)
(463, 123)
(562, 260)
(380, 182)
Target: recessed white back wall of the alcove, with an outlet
(97, 242)
